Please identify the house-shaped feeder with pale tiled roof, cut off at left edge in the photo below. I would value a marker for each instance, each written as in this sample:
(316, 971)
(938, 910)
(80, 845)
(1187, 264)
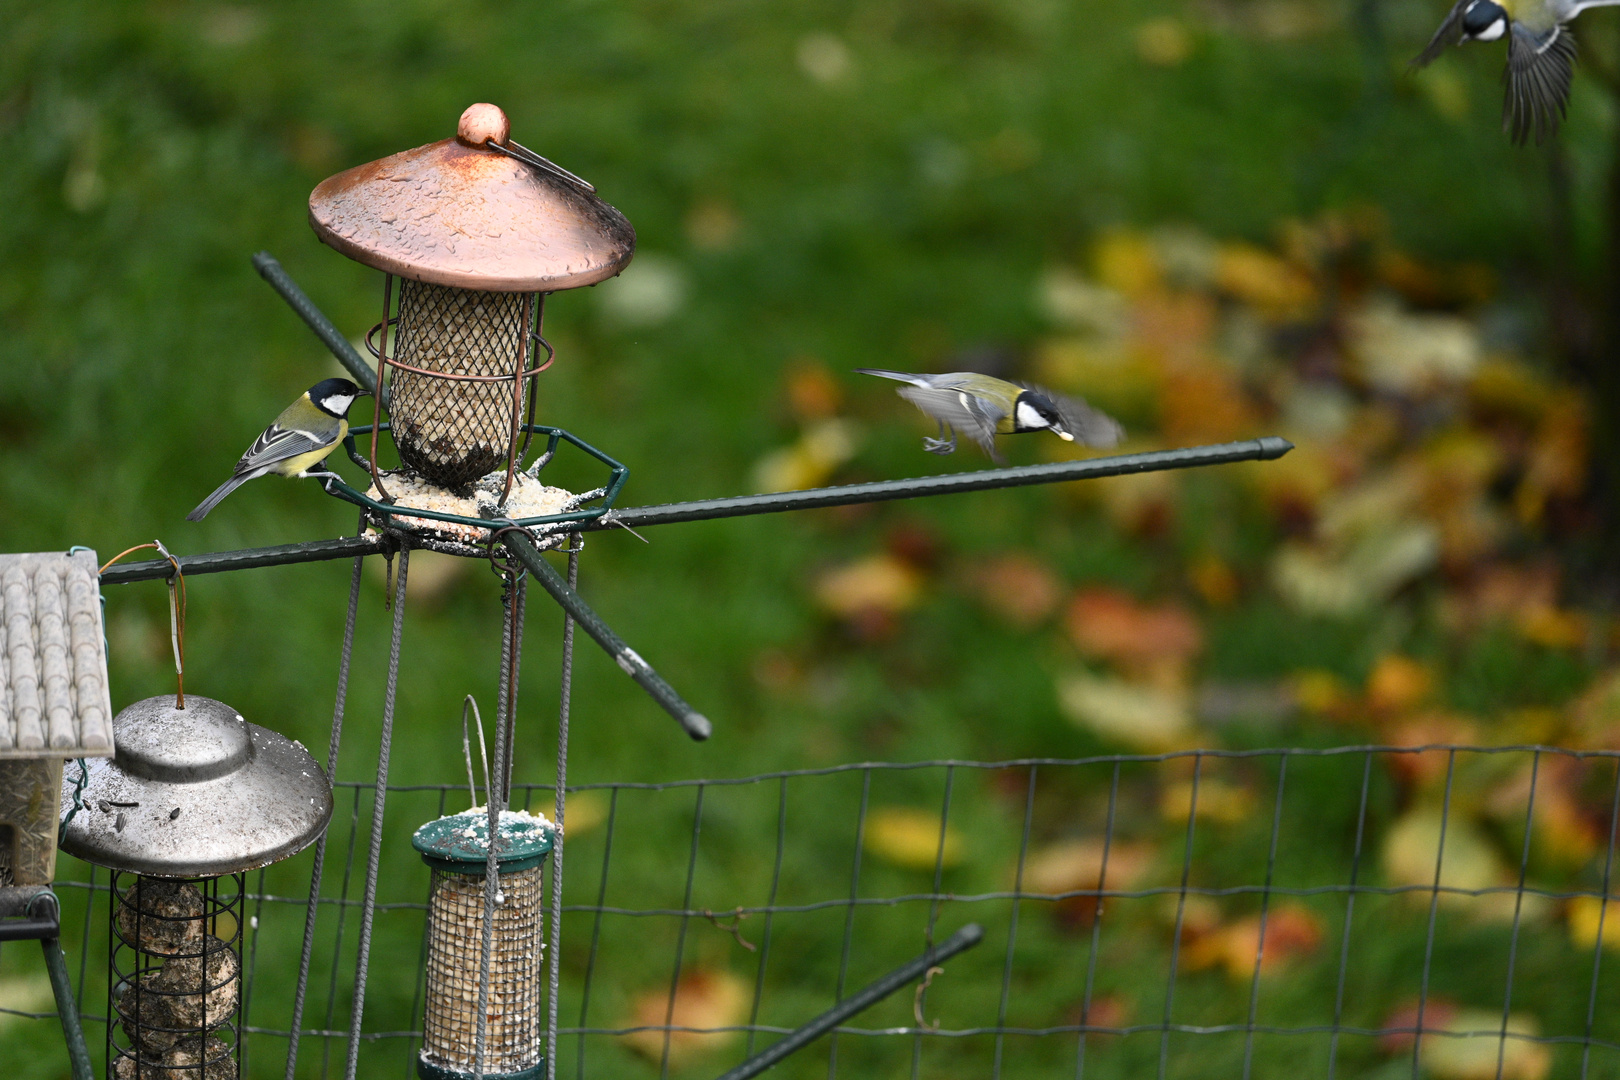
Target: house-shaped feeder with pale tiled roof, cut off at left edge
(53, 700)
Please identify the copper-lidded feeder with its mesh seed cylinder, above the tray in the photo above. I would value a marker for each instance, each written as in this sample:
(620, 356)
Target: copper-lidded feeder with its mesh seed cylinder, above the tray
(477, 229)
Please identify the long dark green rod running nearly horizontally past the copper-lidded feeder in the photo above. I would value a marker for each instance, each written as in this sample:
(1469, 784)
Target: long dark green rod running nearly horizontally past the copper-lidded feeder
(743, 506)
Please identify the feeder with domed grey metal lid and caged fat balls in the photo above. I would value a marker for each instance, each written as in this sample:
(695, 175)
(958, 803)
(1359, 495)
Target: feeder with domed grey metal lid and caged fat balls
(192, 801)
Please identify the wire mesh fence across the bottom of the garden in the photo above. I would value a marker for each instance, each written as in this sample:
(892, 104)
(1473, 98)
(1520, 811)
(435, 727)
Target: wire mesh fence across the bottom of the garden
(1206, 914)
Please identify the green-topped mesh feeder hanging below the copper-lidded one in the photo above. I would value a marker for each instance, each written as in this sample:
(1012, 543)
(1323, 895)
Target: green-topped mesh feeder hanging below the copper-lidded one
(458, 849)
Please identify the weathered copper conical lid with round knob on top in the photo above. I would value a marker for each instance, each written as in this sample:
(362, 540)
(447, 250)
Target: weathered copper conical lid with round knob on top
(458, 213)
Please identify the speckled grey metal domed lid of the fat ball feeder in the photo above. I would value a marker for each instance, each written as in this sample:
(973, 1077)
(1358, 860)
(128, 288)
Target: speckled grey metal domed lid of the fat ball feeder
(195, 793)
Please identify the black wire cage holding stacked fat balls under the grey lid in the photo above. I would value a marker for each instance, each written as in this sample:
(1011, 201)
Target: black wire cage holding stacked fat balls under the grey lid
(176, 979)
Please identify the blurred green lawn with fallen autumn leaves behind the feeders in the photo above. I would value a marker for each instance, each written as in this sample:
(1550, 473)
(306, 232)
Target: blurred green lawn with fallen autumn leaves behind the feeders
(1217, 219)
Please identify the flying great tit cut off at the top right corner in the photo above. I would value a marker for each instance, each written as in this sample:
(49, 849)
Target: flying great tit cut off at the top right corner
(1541, 56)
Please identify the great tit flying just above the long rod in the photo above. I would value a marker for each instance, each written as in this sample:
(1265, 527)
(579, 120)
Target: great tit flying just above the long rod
(984, 407)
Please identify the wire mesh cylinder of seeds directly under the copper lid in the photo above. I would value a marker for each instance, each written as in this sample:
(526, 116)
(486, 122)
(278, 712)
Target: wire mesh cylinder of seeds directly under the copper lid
(459, 423)
